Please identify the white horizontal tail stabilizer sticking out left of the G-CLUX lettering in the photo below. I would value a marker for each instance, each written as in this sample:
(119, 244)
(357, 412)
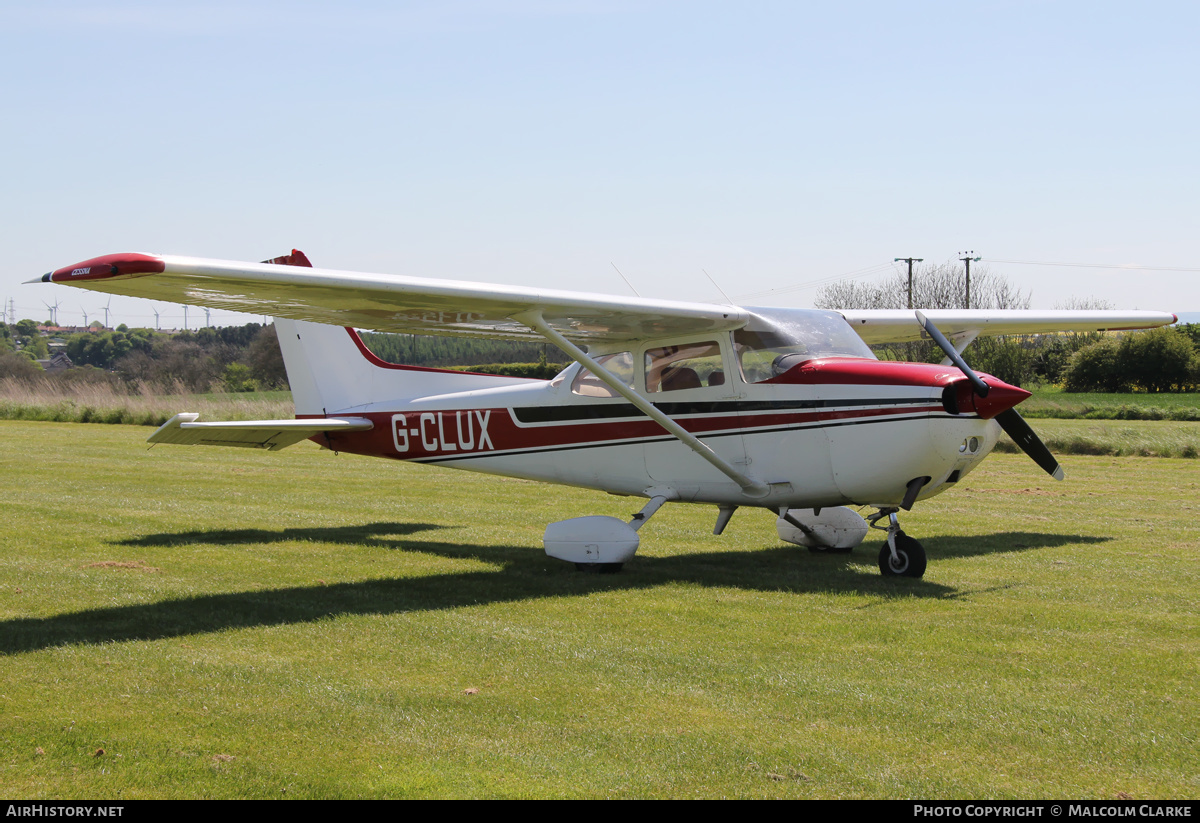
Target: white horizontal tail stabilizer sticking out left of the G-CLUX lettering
(271, 435)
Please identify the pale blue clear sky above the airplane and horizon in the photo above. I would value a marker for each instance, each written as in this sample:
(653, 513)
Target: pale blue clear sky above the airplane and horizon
(539, 143)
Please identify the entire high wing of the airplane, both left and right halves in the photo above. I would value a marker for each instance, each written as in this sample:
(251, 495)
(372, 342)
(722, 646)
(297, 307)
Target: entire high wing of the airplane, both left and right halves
(418, 305)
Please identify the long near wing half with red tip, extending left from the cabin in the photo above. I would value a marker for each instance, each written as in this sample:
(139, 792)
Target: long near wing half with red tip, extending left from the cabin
(391, 303)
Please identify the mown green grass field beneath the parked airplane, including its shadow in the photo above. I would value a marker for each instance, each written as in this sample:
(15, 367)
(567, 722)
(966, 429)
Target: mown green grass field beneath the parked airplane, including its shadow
(190, 623)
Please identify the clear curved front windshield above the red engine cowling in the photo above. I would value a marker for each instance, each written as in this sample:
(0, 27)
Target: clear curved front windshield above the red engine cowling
(778, 339)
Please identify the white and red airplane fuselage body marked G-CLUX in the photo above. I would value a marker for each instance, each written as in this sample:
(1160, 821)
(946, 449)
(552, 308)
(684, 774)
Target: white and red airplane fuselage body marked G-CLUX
(826, 432)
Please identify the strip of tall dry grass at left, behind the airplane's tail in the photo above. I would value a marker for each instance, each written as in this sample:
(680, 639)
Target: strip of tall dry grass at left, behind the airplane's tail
(40, 399)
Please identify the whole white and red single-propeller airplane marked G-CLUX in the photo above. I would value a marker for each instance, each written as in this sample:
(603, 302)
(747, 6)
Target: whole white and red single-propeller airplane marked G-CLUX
(784, 410)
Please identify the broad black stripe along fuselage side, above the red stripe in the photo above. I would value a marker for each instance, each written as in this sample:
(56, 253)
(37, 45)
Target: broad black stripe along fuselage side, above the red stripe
(550, 414)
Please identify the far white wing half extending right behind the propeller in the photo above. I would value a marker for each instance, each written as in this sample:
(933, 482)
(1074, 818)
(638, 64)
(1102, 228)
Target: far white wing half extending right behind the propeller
(901, 327)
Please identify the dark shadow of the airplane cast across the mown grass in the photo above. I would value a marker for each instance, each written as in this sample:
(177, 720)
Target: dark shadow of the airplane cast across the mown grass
(526, 575)
